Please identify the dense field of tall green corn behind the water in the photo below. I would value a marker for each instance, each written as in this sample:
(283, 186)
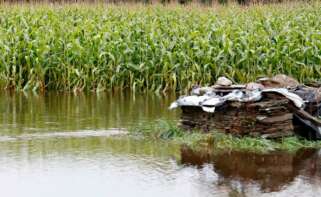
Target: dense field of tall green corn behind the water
(94, 47)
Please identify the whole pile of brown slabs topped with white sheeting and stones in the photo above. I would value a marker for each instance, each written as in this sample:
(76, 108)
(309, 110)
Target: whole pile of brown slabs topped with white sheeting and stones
(270, 107)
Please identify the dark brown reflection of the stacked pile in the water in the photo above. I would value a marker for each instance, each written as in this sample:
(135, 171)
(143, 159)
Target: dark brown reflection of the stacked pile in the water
(271, 172)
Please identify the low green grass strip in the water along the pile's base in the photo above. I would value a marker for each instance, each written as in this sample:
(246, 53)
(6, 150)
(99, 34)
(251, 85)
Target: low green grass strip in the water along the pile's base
(219, 141)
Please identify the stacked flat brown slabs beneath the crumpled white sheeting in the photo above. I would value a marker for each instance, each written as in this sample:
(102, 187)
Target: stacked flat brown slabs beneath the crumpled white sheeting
(241, 118)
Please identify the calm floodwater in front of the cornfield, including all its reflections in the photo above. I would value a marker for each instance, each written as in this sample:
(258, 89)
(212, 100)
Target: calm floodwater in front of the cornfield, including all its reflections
(66, 145)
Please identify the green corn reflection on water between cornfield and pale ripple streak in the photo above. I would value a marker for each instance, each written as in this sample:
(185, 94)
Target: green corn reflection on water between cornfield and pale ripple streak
(59, 111)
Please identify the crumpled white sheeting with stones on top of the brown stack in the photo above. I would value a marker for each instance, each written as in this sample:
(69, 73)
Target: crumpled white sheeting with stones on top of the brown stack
(207, 98)
